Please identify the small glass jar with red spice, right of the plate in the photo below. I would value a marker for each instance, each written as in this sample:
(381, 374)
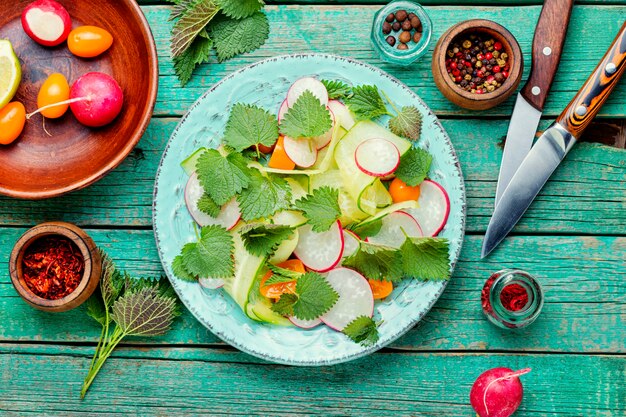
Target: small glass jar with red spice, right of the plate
(512, 299)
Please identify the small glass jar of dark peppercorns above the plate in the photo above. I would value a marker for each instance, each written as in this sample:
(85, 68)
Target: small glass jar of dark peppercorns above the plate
(391, 53)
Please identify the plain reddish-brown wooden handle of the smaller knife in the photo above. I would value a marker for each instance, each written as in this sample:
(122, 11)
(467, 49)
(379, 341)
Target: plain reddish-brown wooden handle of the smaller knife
(547, 46)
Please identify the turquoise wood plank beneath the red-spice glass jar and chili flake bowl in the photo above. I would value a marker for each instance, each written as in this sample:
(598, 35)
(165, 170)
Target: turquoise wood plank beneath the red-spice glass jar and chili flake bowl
(585, 307)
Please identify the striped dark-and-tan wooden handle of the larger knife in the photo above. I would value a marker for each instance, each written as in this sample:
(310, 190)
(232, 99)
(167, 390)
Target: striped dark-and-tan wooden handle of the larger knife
(588, 101)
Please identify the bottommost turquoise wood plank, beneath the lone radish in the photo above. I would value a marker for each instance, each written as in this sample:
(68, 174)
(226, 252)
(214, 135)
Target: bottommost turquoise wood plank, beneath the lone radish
(214, 382)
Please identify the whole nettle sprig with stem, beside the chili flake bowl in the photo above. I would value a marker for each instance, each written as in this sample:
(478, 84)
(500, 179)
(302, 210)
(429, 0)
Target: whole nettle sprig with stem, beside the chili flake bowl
(127, 306)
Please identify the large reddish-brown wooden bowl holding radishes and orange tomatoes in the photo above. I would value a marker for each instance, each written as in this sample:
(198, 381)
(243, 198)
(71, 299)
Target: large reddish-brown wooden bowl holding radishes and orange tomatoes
(39, 166)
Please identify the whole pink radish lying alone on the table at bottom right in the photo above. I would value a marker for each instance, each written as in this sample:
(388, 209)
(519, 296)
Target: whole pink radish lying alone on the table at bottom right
(497, 392)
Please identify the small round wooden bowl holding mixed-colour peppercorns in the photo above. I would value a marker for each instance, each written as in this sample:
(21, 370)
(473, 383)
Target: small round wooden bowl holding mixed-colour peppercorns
(467, 99)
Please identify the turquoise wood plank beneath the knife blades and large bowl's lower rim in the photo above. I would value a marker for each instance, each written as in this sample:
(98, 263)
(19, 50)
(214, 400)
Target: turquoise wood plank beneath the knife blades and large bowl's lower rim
(586, 195)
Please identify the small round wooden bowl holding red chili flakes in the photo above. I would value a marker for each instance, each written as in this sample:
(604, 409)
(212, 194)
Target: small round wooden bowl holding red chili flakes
(91, 274)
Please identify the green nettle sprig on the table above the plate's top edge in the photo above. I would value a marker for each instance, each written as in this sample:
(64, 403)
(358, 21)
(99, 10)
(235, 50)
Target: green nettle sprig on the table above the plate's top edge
(231, 27)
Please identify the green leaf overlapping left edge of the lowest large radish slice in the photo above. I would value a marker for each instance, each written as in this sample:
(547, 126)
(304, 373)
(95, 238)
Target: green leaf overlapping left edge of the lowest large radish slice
(315, 296)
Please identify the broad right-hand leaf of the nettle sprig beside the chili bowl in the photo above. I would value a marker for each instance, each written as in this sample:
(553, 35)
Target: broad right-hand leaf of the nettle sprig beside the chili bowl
(145, 312)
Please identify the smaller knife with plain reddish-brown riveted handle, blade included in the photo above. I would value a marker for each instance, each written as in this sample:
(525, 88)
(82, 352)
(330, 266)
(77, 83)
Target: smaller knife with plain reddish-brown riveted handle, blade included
(546, 54)
